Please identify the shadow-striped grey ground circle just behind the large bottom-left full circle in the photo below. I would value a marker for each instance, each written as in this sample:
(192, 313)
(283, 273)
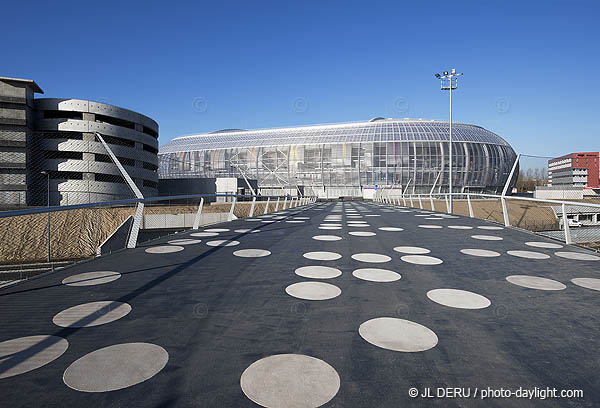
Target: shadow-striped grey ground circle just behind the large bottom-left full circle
(92, 314)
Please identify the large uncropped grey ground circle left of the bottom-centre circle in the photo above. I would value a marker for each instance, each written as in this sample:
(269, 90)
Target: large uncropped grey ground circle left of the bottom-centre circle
(116, 367)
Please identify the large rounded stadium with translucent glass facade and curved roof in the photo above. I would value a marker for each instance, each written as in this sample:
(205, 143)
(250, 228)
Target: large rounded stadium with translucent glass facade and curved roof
(342, 159)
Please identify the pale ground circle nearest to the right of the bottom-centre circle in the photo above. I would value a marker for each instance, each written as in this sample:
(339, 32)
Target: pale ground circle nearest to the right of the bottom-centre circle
(398, 334)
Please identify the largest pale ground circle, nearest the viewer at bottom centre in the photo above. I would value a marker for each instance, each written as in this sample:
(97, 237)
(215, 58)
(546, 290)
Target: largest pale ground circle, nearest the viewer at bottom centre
(290, 380)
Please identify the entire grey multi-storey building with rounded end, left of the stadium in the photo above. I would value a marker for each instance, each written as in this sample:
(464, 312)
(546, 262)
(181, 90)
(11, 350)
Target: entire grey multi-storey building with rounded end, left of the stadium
(57, 137)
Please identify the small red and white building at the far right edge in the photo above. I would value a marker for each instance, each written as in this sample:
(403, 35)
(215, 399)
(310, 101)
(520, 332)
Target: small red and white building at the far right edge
(574, 170)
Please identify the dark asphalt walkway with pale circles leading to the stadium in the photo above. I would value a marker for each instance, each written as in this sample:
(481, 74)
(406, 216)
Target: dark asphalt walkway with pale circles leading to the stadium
(337, 304)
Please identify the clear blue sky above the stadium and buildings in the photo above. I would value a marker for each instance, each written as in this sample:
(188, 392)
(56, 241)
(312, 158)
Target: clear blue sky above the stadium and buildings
(529, 66)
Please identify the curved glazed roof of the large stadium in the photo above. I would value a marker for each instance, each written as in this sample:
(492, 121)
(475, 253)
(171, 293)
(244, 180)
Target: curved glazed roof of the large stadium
(375, 130)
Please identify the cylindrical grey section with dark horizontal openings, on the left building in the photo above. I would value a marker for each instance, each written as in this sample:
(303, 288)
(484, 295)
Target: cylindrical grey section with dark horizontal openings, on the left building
(64, 145)
